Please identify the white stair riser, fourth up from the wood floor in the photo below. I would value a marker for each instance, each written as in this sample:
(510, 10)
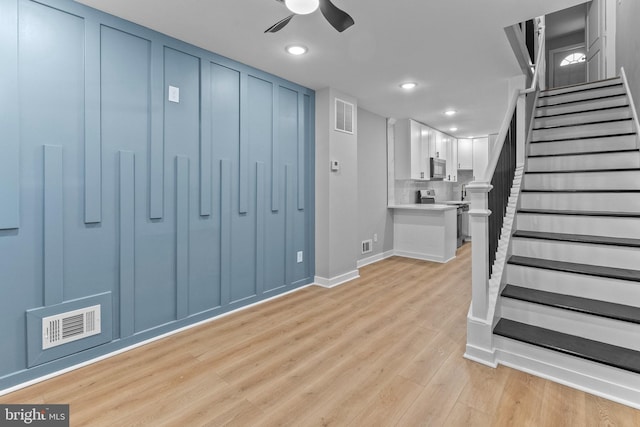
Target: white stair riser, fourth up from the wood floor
(581, 253)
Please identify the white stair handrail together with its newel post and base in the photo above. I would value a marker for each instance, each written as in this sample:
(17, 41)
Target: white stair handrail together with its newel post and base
(489, 199)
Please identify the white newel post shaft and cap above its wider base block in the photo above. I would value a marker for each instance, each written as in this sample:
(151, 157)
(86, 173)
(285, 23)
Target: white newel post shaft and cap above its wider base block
(479, 225)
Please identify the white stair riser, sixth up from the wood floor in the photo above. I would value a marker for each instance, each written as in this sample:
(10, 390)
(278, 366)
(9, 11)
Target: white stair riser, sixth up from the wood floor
(610, 202)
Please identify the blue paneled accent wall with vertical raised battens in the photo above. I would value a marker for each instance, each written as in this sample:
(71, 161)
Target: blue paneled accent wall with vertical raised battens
(173, 212)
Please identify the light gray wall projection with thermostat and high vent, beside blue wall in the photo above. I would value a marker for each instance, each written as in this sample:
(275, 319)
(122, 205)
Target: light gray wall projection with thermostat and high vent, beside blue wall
(336, 194)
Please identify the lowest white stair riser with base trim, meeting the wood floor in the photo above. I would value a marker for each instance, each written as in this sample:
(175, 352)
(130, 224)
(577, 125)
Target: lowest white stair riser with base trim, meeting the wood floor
(601, 380)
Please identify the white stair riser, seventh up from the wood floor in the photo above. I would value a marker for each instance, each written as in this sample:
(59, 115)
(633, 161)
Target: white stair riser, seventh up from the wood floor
(620, 180)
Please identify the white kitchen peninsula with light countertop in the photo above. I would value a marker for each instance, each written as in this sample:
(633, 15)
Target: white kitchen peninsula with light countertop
(425, 231)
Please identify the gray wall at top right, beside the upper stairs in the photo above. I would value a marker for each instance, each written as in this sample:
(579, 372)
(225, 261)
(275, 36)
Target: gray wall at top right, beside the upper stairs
(628, 44)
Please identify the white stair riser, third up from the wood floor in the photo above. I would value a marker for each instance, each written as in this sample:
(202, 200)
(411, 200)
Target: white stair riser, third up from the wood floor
(580, 285)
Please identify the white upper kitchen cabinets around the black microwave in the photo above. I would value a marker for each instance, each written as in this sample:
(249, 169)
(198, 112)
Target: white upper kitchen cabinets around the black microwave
(415, 144)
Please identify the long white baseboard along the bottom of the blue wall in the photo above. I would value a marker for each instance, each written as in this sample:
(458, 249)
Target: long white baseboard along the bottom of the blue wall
(140, 344)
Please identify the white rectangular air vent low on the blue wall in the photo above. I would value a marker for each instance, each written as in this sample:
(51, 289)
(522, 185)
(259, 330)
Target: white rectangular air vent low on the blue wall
(70, 326)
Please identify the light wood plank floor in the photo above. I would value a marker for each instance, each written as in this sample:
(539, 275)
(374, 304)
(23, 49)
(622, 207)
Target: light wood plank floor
(382, 350)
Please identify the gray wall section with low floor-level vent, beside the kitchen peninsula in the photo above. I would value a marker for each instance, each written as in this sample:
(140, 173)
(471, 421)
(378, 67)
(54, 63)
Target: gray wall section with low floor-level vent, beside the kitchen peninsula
(373, 216)
